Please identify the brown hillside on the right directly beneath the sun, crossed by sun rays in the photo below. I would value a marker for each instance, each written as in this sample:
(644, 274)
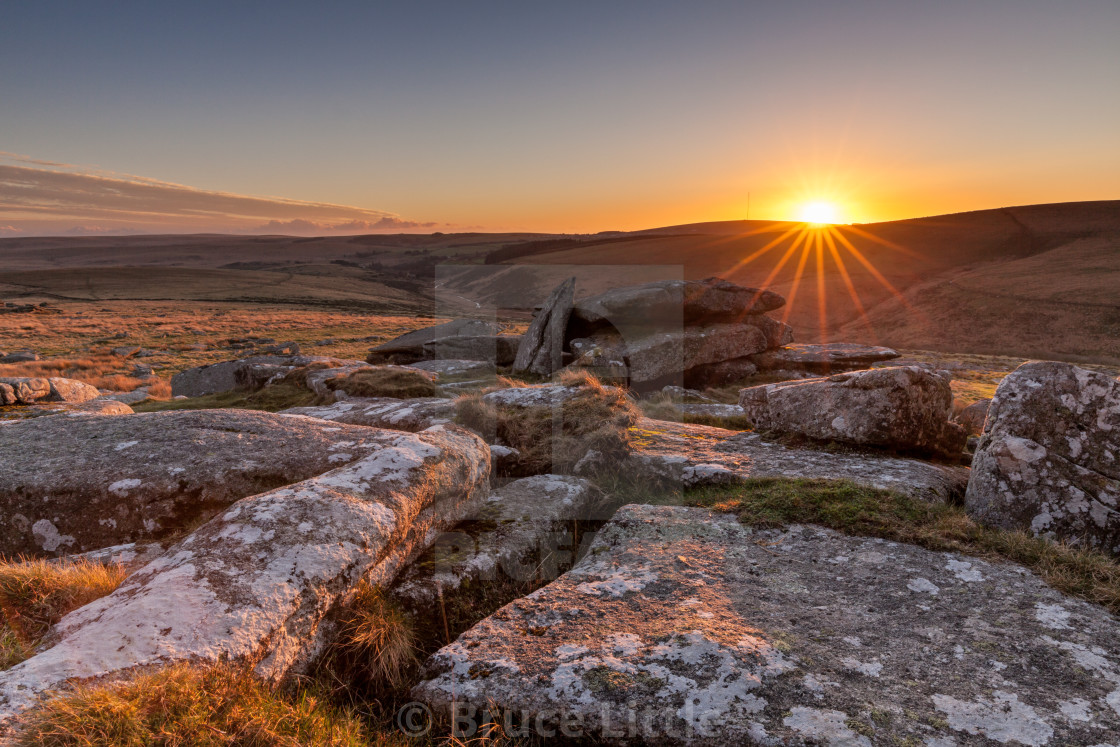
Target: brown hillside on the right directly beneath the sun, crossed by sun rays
(1034, 281)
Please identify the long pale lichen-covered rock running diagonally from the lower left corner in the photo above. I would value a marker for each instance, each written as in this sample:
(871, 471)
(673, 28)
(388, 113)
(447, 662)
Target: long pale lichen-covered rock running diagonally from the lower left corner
(257, 584)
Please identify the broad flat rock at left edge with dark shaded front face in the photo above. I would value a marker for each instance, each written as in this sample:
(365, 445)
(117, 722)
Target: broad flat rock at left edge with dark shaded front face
(82, 483)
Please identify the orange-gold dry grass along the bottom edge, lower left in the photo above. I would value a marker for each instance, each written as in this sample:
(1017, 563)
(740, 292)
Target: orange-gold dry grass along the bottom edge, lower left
(186, 706)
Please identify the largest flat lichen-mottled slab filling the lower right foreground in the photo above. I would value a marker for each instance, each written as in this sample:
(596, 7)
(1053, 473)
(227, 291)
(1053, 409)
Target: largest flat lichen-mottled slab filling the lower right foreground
(683, 627)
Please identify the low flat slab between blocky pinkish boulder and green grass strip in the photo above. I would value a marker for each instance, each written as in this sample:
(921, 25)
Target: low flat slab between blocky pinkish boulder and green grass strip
(701, 455)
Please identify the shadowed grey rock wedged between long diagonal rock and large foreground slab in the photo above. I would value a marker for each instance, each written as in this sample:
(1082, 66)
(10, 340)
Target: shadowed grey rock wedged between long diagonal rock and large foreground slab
(522, 531)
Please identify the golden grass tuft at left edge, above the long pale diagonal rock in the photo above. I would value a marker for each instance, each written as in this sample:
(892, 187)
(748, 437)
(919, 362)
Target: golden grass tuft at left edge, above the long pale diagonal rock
(36, 594)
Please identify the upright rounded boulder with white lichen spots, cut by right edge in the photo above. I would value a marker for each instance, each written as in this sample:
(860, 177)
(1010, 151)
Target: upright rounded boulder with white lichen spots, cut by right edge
(1049, 461)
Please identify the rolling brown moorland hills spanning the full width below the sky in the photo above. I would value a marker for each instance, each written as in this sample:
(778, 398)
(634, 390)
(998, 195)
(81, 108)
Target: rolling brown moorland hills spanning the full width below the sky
(1035, 281)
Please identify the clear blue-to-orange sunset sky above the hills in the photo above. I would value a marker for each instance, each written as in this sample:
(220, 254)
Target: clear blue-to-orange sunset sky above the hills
(555, 117)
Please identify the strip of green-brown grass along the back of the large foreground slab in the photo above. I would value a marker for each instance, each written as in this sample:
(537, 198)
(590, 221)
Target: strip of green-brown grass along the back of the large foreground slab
(863, 511)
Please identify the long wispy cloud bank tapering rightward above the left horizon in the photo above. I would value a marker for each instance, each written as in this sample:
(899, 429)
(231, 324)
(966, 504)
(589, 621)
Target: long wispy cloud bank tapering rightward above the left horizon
(40, 197)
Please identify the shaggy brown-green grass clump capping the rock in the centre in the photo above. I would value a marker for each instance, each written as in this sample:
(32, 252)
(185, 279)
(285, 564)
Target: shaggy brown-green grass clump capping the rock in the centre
(547, 440)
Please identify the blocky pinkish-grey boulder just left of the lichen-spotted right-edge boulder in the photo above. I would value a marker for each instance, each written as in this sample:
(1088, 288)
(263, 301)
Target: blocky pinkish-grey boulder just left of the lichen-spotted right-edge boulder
(902, 408)
